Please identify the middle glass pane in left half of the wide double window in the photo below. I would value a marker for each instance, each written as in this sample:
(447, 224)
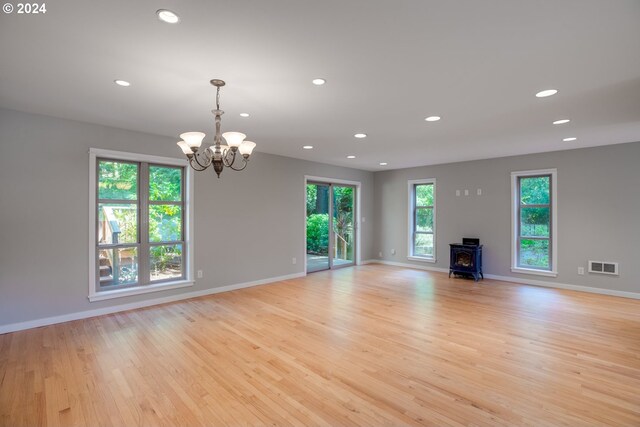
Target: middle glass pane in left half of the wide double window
(117, 223)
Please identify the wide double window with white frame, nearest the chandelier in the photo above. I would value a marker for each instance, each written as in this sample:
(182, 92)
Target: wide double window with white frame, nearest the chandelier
(139, 224)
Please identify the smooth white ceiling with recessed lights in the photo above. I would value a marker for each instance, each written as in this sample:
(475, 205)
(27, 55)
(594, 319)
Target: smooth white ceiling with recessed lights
(388, 65)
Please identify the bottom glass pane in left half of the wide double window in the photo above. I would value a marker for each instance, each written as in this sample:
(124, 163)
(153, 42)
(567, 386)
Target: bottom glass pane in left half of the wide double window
(118, 266)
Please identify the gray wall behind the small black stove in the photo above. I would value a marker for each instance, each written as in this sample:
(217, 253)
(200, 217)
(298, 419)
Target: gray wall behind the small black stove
(598, 211)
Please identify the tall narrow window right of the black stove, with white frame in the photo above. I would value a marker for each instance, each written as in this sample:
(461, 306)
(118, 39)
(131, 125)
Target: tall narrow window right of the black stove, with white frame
(534, 222)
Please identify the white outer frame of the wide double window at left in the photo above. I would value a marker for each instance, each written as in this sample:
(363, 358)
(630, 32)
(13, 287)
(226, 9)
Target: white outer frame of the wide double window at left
(95, 294)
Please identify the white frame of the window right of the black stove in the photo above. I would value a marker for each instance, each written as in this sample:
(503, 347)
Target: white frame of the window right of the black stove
(515, 201)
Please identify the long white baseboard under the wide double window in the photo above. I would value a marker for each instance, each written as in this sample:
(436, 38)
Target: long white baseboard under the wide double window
(13, 327)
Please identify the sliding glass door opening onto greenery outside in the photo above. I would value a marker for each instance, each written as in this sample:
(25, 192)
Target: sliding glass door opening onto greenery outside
(330, 226)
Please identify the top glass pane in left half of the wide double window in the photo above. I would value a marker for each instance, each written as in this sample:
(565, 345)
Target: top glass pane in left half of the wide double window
(117, 180)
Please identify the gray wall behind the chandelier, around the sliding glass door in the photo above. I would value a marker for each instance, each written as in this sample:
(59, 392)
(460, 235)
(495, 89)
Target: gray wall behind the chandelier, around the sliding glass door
(248, 225)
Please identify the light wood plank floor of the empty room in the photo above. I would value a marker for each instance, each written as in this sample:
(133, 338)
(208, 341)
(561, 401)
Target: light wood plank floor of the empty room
(372, 345)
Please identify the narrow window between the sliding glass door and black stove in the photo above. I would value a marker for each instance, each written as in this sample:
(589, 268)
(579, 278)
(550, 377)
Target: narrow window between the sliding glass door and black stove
(422, 220)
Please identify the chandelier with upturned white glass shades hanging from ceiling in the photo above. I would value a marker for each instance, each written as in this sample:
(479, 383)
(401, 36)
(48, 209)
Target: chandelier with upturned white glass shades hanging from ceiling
(217, 155)
